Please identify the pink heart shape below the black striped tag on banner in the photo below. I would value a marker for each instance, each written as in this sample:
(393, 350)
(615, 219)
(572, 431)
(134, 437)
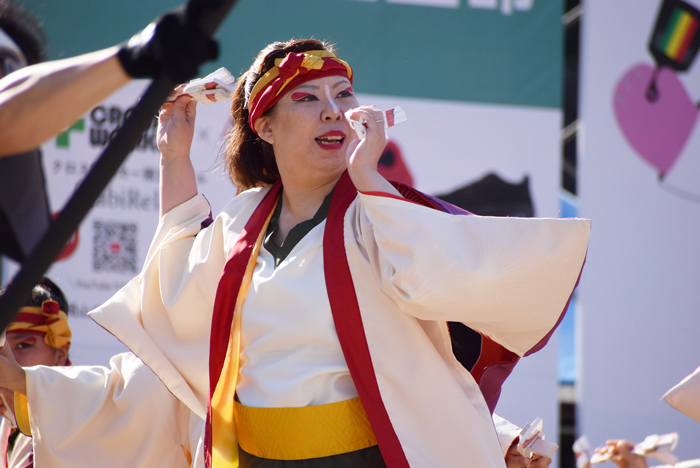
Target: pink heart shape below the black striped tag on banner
(659, 128)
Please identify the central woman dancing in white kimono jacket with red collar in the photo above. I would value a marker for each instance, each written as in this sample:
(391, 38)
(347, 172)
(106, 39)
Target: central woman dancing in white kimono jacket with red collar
(319, 296)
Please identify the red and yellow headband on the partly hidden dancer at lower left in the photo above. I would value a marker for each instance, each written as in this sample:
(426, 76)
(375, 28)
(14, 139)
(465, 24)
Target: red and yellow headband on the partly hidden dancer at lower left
(47, 319)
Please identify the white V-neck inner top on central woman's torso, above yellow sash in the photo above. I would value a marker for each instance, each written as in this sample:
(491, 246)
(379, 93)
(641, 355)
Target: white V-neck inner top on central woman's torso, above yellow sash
(290, 354)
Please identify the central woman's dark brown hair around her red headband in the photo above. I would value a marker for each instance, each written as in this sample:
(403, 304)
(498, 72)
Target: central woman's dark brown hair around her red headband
(250, 161)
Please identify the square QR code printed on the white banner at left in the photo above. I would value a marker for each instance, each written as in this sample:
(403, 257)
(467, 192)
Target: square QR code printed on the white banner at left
(114, 247)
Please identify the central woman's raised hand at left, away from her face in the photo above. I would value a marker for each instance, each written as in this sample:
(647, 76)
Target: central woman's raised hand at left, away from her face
(176, 126)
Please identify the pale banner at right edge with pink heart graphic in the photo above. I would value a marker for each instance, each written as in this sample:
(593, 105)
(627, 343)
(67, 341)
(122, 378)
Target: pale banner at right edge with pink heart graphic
(640, 184)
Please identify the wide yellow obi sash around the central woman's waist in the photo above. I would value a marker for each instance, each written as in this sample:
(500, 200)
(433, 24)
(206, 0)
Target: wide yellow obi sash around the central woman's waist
(304, 433)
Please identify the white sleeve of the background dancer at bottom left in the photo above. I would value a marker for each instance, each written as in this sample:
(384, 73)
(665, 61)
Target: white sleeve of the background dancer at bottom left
(94, 416)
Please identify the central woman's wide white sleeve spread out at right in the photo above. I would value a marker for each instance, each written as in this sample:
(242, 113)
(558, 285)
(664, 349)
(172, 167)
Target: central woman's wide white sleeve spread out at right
(508, 278)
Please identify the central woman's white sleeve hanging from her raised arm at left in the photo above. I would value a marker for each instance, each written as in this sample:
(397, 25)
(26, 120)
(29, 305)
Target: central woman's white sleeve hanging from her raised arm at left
(164, 314)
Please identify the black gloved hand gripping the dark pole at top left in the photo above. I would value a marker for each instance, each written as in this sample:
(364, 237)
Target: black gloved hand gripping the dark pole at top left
(170, 46)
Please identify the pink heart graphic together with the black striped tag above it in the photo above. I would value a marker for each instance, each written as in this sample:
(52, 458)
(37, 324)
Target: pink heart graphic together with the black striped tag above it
(652, 106)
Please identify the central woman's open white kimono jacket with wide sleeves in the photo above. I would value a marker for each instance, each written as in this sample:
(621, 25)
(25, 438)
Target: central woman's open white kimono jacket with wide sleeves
(413, 268)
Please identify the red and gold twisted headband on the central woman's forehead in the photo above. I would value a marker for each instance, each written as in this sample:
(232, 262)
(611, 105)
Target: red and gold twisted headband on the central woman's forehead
(288, 73)
